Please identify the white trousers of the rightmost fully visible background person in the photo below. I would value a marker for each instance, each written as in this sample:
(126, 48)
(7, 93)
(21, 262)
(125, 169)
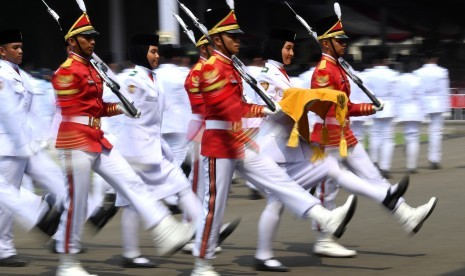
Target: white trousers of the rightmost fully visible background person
(435, 131)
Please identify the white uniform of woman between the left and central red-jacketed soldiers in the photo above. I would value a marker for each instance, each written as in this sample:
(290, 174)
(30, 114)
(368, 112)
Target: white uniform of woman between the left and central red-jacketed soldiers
(142, 144)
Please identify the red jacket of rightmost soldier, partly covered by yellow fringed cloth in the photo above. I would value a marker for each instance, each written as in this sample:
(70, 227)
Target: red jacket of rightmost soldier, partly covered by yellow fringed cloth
(329, 74)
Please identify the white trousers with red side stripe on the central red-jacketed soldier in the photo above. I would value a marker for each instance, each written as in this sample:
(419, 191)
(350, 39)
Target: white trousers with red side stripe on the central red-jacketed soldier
(259, 169)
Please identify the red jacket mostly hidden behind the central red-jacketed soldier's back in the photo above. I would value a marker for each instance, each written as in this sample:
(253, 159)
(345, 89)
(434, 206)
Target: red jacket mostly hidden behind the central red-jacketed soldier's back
(196, 127)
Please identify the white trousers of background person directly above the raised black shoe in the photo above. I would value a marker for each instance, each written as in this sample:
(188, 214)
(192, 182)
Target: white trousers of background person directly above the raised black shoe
(382, 142)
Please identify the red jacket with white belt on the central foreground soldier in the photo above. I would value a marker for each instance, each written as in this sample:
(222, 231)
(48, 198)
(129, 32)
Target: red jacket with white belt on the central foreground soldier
(221, 88)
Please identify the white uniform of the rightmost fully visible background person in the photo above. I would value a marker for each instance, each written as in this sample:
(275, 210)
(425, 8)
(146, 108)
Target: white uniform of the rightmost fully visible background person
(436, 101)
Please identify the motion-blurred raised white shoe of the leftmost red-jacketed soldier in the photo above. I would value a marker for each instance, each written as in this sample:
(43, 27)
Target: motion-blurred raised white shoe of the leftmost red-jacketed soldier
(170, 235)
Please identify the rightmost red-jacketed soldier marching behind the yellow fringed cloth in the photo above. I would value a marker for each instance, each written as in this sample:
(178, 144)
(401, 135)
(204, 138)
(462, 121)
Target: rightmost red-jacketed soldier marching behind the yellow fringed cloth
(340, 140)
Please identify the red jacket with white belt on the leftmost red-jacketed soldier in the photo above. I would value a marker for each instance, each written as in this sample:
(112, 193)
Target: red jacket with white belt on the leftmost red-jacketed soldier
(79, 90)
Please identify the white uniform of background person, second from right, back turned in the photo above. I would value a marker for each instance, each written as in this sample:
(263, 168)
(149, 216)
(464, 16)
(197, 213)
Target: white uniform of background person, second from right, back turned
(411, 115)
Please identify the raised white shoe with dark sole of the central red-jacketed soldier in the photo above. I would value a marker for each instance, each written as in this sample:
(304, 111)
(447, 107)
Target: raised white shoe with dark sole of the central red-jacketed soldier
(334, 222)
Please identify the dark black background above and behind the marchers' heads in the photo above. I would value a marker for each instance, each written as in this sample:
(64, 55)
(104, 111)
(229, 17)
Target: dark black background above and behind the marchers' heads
(394, 22)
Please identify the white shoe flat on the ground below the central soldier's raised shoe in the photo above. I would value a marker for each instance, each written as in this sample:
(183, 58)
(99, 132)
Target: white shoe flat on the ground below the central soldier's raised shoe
(326, 246)
